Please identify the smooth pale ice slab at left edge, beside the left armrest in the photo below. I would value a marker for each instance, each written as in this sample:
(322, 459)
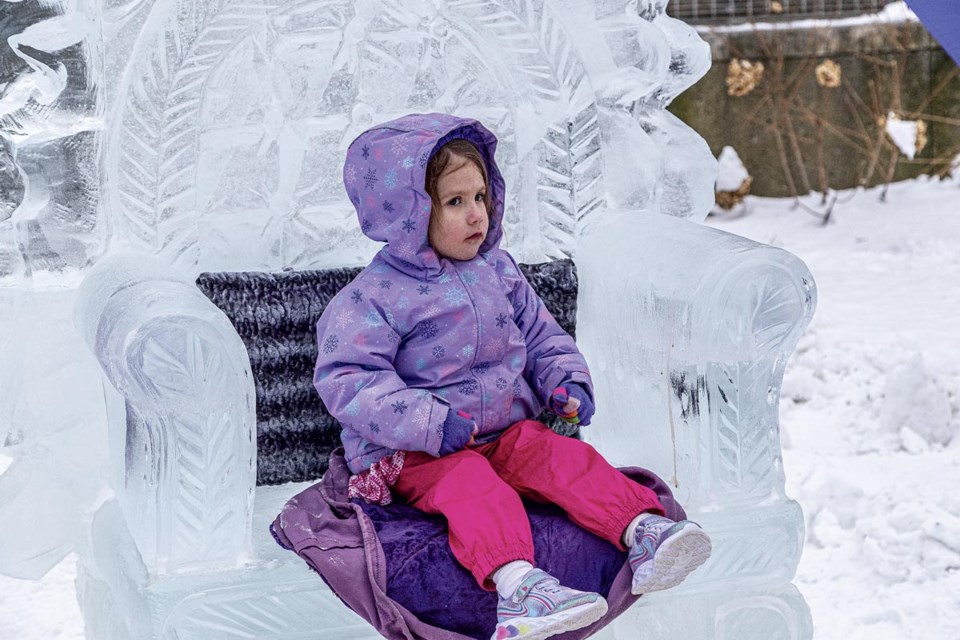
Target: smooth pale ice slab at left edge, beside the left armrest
(51, 425)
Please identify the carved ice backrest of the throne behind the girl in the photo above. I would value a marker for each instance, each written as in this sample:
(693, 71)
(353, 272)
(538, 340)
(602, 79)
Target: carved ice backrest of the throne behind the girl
(230, 121)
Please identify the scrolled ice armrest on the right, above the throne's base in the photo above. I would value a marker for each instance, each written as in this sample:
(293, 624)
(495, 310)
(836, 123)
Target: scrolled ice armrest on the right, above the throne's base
(687, 330)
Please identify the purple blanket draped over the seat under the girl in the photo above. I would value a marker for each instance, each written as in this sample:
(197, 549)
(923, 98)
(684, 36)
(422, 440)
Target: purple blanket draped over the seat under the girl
(393, 566)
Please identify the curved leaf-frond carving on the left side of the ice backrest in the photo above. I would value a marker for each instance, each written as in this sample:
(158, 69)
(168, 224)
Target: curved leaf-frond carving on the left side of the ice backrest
(154, 166)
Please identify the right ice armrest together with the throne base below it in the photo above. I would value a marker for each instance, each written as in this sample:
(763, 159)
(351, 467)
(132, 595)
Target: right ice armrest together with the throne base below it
(687, 344)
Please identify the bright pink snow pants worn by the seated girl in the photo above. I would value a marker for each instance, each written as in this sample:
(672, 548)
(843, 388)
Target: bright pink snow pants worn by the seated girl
(478, 490)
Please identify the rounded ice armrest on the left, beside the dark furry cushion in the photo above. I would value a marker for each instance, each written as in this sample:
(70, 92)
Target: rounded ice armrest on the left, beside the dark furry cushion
(183, 435)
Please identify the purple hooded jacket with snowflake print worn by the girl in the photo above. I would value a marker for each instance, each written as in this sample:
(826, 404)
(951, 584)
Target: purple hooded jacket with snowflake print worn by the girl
(416, 335)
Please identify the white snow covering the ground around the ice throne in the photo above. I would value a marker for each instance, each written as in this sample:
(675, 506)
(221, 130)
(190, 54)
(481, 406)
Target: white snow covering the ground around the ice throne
(870, 415)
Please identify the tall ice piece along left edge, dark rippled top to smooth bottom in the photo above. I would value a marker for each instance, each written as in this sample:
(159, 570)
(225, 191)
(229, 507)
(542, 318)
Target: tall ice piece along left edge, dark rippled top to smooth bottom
(50, 228)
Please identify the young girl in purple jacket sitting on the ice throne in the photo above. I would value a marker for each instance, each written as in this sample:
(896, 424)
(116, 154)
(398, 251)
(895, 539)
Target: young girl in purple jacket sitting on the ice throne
(435, 359)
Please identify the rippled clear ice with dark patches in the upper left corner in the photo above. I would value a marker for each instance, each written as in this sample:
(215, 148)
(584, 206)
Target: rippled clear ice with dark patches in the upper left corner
(50, 120)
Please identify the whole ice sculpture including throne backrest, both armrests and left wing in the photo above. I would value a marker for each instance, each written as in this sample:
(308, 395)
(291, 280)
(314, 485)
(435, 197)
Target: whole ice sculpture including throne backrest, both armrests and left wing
(208, 135)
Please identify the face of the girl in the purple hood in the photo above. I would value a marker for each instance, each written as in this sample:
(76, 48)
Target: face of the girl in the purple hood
(459, 226)
